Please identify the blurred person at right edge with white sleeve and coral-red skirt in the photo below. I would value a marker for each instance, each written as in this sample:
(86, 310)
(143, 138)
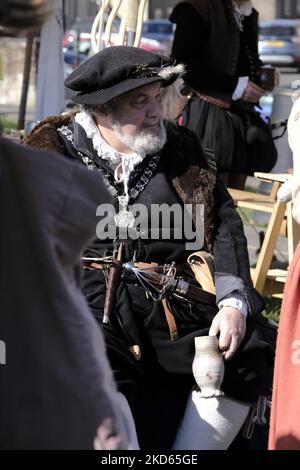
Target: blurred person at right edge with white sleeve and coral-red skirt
(285, 415)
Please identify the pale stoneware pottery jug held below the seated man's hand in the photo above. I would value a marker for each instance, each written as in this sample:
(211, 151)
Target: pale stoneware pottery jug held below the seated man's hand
(208, 366)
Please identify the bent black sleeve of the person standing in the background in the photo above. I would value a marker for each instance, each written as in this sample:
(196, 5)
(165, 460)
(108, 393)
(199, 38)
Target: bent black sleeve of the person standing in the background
(190, 47)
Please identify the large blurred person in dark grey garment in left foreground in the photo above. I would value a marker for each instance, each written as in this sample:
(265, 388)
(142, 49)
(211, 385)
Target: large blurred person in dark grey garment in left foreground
(56, 387)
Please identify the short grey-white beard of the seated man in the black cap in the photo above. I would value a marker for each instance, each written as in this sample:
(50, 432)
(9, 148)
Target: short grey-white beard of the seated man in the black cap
(147, 141)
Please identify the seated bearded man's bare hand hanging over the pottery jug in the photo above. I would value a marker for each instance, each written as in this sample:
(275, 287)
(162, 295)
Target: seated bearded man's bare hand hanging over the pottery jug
(230, 325)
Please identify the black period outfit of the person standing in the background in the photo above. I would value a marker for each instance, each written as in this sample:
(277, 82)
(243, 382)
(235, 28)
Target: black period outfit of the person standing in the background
(216, 53)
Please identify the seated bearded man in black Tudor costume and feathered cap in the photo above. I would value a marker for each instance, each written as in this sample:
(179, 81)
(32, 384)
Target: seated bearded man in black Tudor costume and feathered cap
(143, 160)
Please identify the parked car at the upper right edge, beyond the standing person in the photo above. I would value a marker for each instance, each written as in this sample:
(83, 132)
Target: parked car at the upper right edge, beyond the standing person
(279, 42)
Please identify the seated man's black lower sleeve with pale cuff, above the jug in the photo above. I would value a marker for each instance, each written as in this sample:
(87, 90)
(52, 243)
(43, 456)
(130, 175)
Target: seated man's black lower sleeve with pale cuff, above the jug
(232, 268)
